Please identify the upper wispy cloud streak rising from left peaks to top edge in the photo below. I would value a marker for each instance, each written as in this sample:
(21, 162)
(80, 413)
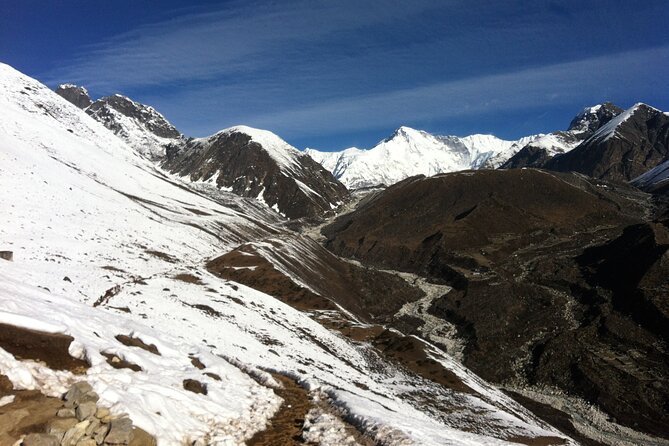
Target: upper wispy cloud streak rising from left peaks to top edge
(246, 37)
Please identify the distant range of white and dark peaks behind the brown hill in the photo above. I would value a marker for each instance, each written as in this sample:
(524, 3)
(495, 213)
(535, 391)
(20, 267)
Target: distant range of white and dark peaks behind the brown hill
(409, 152)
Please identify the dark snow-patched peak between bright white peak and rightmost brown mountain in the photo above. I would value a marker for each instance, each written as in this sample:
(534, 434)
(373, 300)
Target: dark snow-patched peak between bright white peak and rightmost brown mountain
(537, 153)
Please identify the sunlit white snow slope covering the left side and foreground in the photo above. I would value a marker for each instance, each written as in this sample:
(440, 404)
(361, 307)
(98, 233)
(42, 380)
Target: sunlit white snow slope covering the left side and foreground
(78, 202)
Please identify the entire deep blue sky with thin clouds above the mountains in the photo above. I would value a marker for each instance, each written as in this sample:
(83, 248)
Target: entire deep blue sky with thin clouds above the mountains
(333, 74)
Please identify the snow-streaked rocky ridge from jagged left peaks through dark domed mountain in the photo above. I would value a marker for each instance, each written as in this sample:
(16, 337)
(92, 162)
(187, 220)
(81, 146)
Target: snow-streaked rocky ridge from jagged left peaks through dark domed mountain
(249, 162)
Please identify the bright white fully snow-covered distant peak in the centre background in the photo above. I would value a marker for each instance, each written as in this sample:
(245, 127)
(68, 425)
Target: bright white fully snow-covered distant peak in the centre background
(410, 152)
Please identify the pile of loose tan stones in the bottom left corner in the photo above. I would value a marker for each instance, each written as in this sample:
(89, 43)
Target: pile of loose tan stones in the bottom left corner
(80, 422)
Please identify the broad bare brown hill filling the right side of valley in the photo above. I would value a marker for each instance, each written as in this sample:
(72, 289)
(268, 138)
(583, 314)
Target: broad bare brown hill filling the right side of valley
(558, 279)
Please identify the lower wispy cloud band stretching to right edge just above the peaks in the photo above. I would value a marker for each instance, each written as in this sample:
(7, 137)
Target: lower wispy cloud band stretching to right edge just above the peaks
(593, 79)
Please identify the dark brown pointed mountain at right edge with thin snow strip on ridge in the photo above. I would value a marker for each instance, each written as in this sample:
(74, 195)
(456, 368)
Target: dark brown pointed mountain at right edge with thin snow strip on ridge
(623, 149)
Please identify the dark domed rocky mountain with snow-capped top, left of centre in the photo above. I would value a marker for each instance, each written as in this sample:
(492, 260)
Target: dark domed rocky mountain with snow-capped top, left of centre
(257, 163)
